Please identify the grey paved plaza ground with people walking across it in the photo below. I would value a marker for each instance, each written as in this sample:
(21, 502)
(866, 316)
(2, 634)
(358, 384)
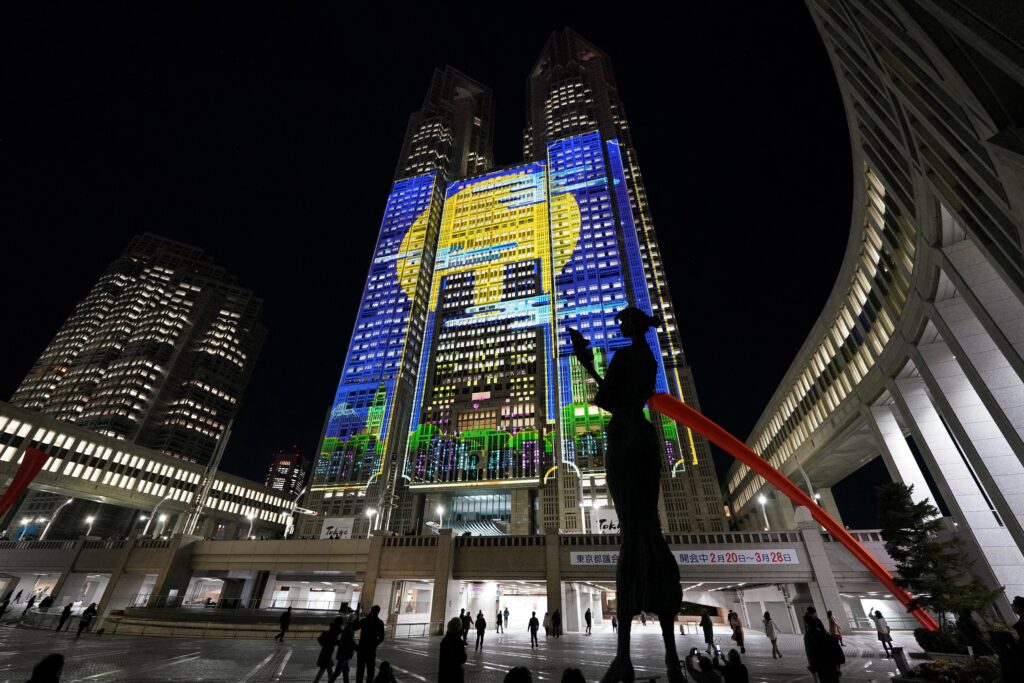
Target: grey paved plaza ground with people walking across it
(109, 659)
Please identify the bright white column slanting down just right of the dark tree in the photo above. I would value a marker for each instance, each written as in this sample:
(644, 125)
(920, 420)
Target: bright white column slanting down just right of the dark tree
(960, 490)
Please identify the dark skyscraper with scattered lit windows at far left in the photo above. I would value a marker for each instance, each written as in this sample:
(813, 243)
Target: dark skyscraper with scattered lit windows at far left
(159, 353)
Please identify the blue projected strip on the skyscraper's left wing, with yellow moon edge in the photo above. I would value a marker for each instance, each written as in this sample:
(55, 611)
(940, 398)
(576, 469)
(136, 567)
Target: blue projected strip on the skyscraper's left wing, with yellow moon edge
(364, 407)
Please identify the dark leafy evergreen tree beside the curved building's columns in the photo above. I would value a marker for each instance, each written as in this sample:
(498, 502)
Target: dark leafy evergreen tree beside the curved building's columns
(932, 567)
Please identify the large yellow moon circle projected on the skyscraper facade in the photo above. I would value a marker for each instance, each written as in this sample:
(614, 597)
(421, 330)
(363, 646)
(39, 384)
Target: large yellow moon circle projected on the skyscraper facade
(491, 224)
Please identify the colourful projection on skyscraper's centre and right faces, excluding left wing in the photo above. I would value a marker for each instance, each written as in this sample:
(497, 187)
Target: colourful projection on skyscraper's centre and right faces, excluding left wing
(524, 254)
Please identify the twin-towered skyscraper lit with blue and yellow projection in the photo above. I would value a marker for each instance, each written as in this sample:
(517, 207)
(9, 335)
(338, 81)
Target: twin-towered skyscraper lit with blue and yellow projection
(460, 404)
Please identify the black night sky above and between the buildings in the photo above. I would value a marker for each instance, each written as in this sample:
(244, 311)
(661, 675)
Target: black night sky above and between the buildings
(269, 138)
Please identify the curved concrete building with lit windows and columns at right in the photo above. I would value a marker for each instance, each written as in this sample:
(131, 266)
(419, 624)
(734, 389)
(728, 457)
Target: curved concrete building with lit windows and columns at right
(919, 354)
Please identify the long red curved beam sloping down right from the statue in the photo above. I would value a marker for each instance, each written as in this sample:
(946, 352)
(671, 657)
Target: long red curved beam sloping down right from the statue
(684, 414)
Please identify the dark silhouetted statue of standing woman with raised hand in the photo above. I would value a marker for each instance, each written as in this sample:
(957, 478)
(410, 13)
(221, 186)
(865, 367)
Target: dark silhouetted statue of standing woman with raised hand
(648, 576)
